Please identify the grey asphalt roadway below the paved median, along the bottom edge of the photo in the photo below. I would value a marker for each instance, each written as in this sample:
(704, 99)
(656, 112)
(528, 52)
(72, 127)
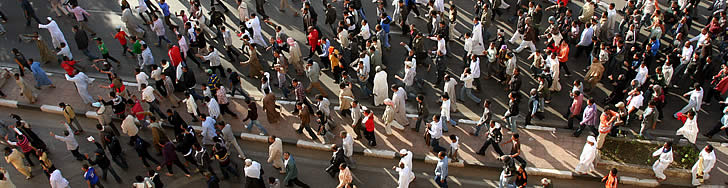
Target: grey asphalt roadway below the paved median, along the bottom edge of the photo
(370, 172)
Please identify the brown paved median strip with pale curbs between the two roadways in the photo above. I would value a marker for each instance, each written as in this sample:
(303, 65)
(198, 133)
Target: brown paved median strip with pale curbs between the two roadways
(542, 149)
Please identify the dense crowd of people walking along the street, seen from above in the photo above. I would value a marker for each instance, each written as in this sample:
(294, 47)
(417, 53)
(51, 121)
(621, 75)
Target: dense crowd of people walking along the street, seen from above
(637, 70)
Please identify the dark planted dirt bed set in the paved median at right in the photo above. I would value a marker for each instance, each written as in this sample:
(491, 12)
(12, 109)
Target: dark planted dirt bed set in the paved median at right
(634, 152)
